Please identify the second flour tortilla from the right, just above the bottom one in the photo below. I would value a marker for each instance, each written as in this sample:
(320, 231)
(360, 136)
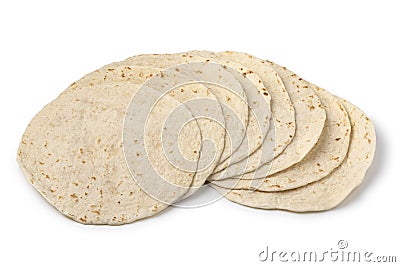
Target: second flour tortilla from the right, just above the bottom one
(327, 154)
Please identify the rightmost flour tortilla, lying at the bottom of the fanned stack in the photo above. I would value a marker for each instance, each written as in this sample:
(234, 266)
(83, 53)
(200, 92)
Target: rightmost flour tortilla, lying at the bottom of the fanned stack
(330, 191)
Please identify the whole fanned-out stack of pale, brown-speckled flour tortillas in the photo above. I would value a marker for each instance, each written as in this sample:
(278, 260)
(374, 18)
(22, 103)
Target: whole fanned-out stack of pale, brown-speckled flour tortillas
(134, 137)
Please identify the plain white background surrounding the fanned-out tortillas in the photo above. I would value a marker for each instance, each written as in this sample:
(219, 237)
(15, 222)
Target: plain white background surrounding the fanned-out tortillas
(348, 47)
